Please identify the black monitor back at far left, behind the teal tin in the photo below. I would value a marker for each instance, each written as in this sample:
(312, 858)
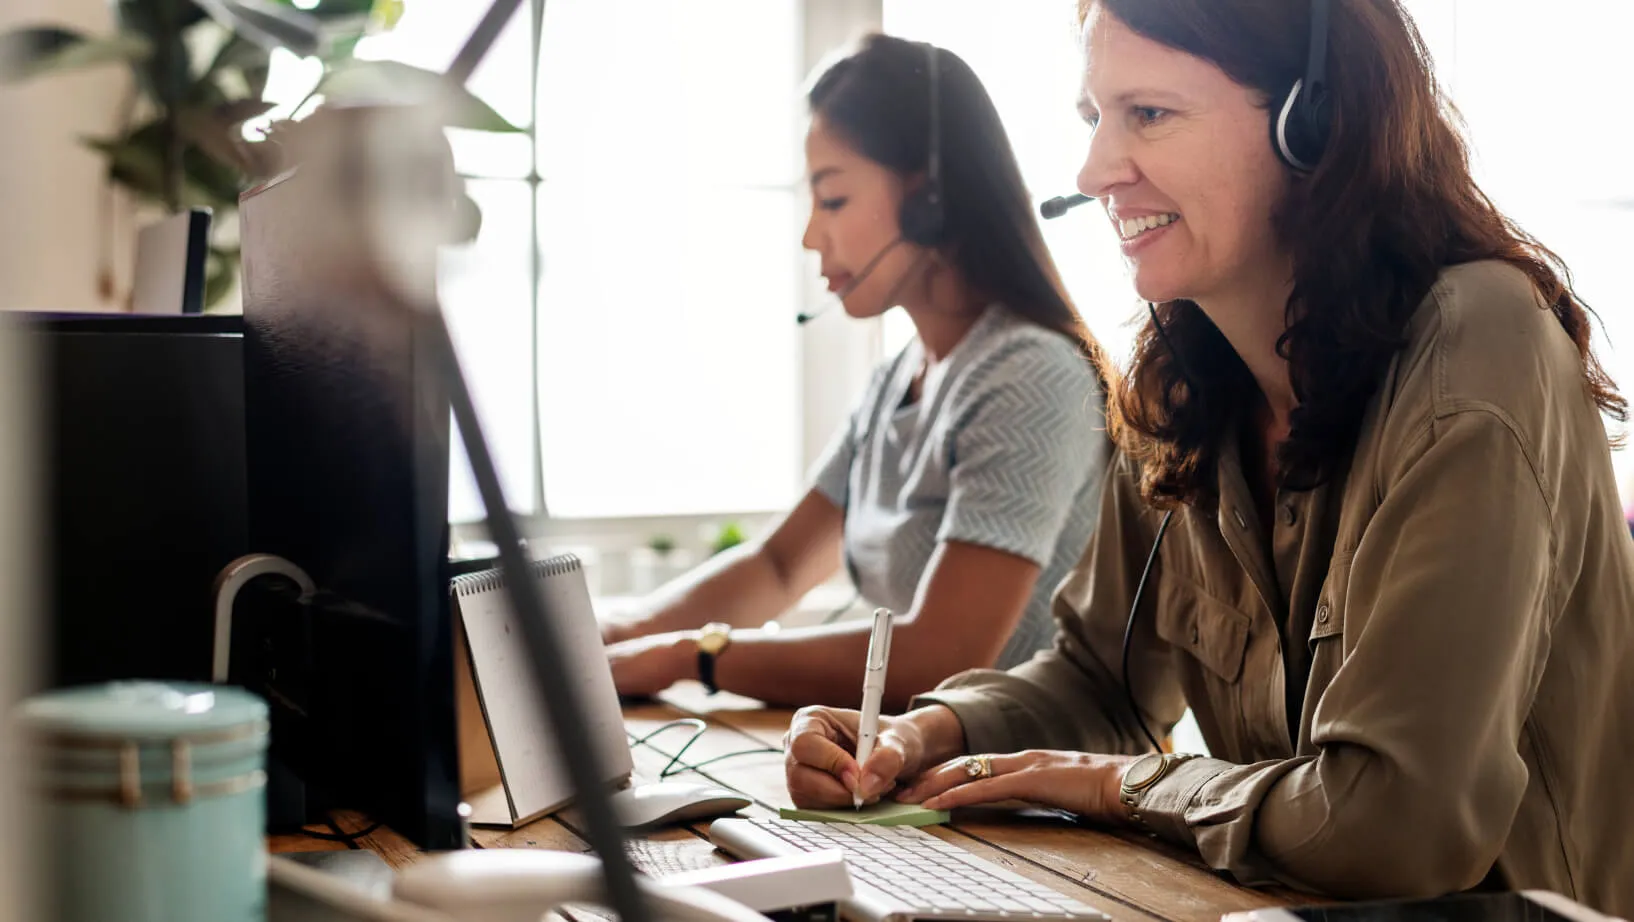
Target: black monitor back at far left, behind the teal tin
(145, 431)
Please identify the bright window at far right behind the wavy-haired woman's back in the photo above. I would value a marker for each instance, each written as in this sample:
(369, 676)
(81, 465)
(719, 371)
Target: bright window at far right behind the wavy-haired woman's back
(1550, 138)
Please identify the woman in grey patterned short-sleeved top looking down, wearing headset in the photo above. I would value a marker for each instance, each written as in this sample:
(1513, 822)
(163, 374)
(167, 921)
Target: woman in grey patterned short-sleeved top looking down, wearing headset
(968, 480)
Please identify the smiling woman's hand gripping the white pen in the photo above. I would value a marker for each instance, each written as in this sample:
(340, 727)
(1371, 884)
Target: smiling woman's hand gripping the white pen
(821, 764)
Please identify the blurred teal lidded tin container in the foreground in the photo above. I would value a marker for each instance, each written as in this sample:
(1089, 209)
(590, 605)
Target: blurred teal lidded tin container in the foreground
(153, 799)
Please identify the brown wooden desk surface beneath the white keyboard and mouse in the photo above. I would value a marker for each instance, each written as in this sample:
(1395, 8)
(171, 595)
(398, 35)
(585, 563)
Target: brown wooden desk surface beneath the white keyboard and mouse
(1127, 875)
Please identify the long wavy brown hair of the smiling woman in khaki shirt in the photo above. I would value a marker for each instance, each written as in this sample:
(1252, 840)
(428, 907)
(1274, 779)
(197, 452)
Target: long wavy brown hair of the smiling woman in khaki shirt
(1390, 207)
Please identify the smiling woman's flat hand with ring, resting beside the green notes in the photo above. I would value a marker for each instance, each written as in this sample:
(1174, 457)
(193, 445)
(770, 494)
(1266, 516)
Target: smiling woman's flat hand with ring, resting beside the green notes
(1078, 782)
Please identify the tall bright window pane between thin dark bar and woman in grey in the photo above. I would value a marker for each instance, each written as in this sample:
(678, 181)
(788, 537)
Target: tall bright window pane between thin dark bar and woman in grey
(671, 215)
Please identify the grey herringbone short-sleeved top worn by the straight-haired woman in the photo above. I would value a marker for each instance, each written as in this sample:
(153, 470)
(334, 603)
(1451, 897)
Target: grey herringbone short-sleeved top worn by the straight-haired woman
(1006, 449)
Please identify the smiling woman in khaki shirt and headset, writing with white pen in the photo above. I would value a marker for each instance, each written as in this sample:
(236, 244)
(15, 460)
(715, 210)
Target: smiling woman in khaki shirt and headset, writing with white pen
(1364, 522)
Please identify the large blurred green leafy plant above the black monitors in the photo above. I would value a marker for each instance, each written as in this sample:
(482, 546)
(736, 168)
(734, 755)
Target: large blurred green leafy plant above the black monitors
(200, 71)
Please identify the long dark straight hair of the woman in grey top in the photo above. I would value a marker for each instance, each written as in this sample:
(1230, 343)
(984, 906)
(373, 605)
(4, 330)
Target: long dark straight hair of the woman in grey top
(878, 101)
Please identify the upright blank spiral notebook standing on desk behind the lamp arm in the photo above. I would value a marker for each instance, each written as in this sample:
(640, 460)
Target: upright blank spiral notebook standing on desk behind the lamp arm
(511, 768)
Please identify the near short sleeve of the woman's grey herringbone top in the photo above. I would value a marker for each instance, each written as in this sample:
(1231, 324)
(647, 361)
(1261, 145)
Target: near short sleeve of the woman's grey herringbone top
(1025, 444)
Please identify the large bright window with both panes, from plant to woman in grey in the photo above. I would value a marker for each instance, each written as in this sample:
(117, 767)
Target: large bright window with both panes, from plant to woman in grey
(627, 315)
